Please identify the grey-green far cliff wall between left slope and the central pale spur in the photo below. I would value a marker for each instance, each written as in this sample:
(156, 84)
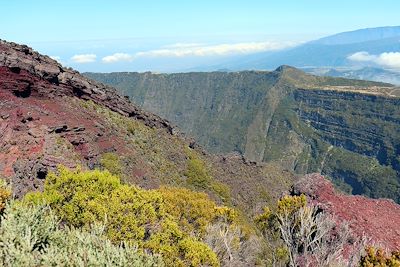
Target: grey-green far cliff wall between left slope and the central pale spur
(197, 101)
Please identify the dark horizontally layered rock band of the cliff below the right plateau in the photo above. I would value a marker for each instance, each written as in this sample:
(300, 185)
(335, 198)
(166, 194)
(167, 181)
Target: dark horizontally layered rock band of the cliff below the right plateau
(365, 124)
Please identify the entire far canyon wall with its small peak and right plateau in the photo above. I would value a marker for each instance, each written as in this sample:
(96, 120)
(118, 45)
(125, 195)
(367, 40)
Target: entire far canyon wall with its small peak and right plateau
(347, 129)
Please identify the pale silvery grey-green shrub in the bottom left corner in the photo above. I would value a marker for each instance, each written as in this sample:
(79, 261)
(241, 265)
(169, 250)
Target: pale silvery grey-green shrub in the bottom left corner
(30, 235)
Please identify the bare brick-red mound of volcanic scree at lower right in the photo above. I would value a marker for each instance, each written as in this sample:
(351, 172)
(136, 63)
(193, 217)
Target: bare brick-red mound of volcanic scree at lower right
(377, 219)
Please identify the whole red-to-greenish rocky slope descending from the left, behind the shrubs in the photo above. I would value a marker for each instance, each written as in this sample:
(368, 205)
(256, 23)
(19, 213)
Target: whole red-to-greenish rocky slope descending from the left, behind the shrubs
(50, 115)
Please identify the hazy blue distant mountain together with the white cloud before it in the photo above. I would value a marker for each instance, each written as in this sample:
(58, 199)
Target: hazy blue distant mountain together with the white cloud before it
(368, 54)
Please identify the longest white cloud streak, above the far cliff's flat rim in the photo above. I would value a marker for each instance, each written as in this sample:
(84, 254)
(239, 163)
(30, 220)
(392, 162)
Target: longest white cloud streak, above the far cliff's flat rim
(200, 50)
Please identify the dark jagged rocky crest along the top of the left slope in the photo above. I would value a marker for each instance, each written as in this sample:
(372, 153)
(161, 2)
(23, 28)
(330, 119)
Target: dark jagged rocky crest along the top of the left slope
(25, 72)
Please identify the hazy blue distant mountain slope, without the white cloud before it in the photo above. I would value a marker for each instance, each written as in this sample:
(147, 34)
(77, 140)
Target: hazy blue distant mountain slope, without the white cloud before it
(328, 52)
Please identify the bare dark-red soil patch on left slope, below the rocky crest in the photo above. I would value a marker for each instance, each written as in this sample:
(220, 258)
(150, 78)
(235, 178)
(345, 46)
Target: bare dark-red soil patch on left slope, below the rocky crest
(38, 133)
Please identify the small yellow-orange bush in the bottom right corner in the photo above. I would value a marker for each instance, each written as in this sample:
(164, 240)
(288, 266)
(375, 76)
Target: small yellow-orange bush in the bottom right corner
(378, 258)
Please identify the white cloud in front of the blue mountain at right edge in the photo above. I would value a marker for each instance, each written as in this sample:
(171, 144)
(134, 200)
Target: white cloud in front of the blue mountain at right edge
(387, 59)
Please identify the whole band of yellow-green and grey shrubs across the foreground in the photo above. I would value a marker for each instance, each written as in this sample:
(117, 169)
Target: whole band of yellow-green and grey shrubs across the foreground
(89, 218)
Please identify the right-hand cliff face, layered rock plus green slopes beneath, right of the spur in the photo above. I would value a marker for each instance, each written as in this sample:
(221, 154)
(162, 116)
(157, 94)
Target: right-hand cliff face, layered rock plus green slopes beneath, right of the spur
(351, 137)
